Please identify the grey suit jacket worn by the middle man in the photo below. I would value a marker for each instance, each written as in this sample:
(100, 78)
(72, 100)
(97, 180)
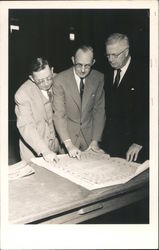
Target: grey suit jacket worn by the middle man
(70, 115)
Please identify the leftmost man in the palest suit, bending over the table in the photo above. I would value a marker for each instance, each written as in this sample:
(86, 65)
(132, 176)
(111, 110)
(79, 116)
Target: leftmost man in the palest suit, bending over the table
(33, 109)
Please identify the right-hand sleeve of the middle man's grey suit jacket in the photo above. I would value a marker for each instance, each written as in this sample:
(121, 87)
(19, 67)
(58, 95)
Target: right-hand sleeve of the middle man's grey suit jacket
(99, 111)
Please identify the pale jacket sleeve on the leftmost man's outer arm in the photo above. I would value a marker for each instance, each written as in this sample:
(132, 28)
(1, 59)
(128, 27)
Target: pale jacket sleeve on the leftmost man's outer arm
(27, 125)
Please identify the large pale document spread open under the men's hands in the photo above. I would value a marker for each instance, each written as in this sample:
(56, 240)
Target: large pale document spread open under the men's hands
(94, 170)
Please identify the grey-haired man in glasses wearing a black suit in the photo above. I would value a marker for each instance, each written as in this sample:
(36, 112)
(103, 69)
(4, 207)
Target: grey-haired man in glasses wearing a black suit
(125, 130)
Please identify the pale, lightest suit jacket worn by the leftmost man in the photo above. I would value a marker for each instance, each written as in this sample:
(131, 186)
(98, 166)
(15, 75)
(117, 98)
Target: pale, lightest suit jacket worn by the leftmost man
(32, 121)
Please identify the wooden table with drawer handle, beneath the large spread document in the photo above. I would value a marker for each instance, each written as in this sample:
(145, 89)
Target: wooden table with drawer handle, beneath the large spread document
(47, 198)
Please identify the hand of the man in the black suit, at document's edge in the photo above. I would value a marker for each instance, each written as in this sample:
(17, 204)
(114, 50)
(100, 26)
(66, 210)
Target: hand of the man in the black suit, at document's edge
(133, 152)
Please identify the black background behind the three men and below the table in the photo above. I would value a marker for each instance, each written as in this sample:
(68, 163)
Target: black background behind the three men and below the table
(46, 33)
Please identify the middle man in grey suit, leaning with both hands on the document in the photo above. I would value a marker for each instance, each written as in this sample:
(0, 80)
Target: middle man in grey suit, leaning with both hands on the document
(79, 104)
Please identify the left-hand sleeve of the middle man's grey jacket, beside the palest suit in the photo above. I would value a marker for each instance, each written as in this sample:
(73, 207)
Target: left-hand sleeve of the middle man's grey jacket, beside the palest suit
(59, 110)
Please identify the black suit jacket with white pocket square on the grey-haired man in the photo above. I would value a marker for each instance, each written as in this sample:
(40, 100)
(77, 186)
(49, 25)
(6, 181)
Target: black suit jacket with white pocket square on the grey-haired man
(126, 112)
